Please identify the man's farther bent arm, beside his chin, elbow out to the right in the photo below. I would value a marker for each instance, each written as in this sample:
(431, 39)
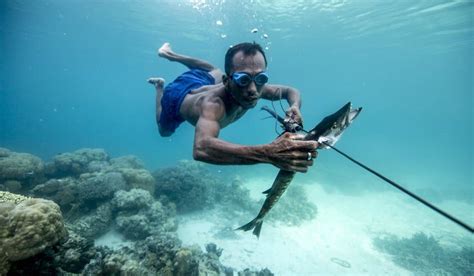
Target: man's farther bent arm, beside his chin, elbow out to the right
(291, 95)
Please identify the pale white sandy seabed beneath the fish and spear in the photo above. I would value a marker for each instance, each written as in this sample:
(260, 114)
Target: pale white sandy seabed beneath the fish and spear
(338, 241)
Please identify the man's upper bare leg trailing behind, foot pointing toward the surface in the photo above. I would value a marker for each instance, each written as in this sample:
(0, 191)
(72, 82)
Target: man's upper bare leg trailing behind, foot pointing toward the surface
(165, 51)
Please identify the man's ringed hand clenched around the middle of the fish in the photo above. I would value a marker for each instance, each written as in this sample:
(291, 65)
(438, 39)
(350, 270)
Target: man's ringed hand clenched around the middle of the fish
(289, 152)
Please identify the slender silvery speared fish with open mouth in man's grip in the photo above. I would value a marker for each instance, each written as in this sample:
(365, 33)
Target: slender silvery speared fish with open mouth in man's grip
(327, 132)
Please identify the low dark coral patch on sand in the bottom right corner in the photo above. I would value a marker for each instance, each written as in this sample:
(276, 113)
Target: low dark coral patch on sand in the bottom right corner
(424, 255)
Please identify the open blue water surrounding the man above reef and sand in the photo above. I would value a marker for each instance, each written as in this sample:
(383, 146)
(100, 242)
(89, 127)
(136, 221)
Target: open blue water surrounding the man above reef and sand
(72, 75)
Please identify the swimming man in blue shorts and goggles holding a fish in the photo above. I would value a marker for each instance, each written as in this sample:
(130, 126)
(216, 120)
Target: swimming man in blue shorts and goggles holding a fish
(211, 100)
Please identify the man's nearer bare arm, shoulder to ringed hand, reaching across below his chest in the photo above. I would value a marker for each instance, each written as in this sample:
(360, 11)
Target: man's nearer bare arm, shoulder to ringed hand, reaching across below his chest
(285, 152)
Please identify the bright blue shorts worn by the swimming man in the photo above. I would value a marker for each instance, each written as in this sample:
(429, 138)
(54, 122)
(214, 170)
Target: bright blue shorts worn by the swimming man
(174, 94)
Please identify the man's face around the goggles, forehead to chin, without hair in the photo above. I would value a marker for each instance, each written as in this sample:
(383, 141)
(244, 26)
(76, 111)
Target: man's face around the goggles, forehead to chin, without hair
(247, 96)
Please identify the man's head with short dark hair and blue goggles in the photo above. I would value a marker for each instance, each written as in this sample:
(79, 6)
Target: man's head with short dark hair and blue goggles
(245, 65)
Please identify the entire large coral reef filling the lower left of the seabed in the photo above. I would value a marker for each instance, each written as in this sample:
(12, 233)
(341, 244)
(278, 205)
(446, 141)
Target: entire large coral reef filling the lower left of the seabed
(102, 196)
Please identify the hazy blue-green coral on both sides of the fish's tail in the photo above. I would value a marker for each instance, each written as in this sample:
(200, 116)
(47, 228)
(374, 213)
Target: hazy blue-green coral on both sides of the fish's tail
(192, 188)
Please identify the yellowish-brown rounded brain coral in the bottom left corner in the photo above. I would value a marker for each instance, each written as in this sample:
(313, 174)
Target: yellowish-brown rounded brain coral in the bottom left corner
(27, 227)
